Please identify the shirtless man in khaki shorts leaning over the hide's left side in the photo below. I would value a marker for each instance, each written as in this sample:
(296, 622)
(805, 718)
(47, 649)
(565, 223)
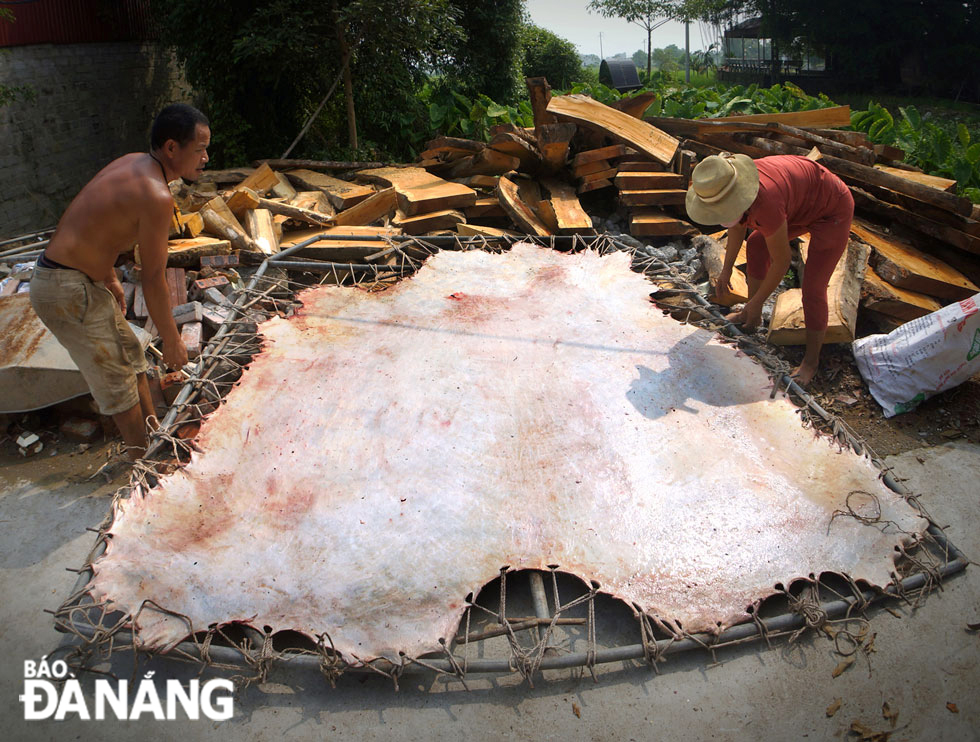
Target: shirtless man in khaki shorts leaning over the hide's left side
(75, 290)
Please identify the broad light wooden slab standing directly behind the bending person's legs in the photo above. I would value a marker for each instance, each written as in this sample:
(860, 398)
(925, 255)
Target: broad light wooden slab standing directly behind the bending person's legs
(787, 326)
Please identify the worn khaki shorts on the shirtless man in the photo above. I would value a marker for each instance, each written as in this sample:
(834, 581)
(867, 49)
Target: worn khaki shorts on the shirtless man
(86, 319)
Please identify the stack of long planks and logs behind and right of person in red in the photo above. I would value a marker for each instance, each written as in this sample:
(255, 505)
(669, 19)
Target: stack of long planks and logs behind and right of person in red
(923, 239)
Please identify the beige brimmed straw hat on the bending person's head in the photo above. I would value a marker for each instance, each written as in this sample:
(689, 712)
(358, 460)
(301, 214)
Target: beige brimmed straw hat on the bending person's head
(722, 188)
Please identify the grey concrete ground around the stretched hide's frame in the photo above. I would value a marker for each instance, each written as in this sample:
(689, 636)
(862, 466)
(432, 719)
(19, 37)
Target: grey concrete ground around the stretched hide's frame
(924, 664)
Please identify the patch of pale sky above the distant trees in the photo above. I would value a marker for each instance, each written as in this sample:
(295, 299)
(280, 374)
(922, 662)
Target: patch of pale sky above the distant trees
(570, 20)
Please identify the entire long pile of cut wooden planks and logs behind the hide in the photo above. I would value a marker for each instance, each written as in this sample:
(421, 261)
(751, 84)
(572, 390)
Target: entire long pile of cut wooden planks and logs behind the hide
(917, 244)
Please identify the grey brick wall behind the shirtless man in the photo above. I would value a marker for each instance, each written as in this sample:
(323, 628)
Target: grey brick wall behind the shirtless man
(94, 102)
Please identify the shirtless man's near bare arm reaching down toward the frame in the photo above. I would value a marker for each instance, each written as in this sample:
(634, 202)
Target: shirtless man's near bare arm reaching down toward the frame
(154, 227)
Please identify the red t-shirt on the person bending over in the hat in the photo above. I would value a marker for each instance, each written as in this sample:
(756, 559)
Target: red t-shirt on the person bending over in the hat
(795, 190)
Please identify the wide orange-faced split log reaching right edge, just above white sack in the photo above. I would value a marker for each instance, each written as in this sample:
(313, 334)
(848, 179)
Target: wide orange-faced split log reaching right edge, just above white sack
(907, 267)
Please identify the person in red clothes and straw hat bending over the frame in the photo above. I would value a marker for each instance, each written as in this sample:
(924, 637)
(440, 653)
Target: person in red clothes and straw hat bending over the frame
(778, 198)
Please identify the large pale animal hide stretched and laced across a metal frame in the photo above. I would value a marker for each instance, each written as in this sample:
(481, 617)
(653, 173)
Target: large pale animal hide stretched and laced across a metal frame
(388, 453)
